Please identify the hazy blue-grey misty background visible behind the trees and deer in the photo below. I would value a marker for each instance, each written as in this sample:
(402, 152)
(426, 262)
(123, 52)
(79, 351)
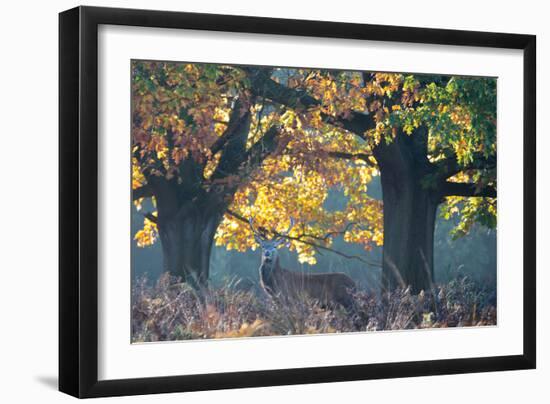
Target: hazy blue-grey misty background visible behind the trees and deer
(473, 255)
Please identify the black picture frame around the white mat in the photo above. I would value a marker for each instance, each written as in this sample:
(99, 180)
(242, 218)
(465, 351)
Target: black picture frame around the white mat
(78, 195)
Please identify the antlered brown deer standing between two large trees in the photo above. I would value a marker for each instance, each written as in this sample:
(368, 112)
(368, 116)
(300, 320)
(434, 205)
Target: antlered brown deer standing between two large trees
(327, 288)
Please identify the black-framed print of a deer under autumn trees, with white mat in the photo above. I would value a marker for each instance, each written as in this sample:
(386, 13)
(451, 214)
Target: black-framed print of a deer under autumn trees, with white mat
(250, 201)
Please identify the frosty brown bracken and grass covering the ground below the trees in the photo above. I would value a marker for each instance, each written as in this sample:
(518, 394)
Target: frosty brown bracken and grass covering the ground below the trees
(170, 310)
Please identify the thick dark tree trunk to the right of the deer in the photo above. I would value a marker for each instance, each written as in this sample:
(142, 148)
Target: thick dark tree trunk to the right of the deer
(409, 215)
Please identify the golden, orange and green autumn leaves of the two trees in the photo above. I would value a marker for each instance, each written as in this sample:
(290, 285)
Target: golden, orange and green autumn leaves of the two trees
(308, 134)
